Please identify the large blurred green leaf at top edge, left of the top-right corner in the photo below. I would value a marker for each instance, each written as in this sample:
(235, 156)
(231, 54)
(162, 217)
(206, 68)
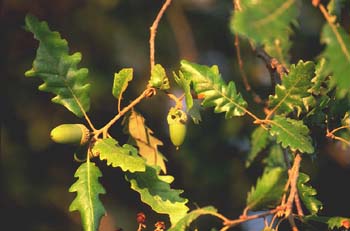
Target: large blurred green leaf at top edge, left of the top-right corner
(267, 23)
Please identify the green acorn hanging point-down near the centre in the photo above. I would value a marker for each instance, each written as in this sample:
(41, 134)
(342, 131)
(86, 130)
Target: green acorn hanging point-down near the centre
(177, 126)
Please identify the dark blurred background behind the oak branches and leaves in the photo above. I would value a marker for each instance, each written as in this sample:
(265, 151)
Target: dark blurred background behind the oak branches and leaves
(35, 173)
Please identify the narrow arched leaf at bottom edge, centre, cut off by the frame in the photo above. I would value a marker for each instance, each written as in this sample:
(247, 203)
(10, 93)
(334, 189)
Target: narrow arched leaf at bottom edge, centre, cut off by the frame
(185, 222)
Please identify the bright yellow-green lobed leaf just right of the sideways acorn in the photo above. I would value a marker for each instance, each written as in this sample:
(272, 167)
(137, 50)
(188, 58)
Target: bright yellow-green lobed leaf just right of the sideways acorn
(124, 157)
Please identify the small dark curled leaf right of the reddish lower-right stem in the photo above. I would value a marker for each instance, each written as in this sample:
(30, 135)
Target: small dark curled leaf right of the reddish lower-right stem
(307, 194)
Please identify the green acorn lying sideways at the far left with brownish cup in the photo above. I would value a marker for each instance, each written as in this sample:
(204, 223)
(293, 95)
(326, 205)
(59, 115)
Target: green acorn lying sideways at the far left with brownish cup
(70, 134)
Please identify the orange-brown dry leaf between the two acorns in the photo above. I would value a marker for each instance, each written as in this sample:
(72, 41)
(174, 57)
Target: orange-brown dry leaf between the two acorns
(143, 138)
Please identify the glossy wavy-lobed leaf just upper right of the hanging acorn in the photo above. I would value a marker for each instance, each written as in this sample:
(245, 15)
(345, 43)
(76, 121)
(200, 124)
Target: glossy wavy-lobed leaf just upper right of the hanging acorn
(208, 83)
